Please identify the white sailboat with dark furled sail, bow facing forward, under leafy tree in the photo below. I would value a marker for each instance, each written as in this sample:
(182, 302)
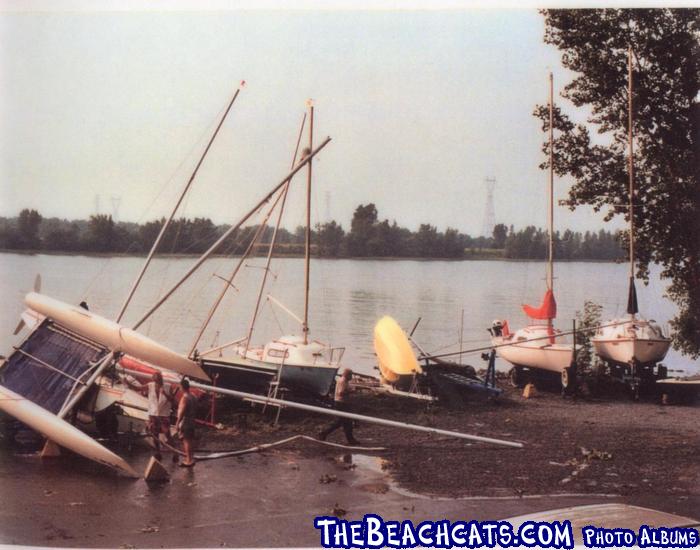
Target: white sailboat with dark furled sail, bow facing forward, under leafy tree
(631, 341)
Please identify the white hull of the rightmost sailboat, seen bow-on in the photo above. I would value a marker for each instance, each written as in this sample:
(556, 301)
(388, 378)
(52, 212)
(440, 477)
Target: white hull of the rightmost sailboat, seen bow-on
(631, 340)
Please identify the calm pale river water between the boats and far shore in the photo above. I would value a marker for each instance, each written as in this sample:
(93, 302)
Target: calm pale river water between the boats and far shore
(348, 297)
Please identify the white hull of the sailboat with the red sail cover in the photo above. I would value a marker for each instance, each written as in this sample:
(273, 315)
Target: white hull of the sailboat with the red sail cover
(531, 347)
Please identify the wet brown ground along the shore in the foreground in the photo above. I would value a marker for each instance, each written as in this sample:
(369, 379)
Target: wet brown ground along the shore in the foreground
(271, 498)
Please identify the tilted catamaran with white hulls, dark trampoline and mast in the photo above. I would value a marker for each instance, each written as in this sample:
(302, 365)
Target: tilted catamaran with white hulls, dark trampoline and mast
(65, 367)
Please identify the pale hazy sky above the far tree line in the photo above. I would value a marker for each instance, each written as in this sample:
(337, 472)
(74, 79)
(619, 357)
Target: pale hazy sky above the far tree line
(107, 110)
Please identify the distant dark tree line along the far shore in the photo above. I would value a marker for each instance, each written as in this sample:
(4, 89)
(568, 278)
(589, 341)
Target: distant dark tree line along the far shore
(368, 237)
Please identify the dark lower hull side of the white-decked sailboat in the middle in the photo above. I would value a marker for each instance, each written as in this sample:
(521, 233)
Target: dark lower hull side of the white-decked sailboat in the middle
(257, 376)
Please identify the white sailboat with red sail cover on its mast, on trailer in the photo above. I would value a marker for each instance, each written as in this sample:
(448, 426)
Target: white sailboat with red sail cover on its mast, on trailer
(535, 346)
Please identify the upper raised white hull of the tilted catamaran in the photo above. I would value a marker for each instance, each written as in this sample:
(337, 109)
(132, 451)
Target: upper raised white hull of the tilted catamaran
(112, 335)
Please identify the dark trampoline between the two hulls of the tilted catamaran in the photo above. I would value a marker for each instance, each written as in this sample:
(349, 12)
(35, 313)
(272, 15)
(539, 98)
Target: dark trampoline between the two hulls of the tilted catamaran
(68, 354)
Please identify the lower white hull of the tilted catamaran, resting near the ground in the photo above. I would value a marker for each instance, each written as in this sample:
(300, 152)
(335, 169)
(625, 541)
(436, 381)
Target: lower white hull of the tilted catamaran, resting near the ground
(59, 431)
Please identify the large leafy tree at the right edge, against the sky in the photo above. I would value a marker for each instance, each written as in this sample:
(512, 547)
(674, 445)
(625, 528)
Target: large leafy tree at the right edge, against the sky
(666, 76)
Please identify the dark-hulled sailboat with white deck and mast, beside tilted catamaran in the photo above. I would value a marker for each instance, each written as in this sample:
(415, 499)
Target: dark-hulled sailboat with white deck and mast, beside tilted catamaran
(293, 361)
